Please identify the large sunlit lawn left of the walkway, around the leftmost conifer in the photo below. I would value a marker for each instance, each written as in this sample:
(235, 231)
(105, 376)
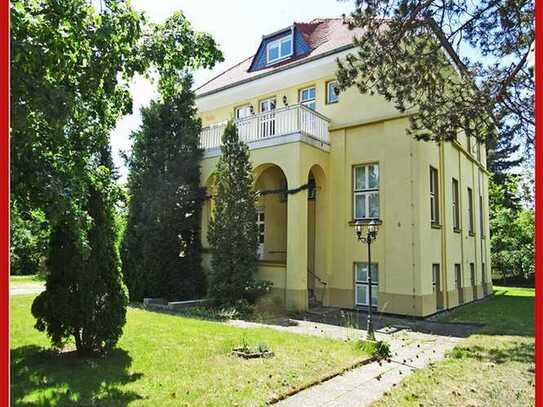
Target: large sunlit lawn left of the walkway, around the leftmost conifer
(167, 360)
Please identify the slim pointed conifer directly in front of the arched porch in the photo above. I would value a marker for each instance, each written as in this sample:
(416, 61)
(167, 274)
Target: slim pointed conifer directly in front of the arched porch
(232, 232)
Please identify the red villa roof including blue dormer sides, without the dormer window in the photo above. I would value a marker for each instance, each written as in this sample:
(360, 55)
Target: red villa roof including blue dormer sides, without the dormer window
(321, 37)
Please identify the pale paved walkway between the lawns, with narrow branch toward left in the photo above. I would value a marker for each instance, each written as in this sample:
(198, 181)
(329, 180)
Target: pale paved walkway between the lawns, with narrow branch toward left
(411, 349)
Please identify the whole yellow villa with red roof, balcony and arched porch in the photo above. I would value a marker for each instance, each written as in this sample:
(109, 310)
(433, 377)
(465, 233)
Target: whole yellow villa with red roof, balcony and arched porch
(323, 161)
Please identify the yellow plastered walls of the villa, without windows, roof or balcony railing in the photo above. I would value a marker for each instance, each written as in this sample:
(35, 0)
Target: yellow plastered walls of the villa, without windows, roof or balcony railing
(365, 129)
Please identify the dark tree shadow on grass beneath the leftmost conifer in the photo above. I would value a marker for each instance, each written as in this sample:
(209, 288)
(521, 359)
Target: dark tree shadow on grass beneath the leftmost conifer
(41, 377)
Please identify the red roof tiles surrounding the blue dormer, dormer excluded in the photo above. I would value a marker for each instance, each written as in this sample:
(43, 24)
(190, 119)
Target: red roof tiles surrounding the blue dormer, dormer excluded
(324, 36)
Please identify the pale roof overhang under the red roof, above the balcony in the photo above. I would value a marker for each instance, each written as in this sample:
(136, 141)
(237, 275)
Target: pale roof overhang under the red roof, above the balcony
(307, 69)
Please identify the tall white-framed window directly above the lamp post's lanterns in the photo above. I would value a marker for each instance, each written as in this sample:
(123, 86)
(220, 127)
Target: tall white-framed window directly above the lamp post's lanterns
(366, 191)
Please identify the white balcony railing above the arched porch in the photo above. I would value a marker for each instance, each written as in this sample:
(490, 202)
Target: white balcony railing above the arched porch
(276, 123)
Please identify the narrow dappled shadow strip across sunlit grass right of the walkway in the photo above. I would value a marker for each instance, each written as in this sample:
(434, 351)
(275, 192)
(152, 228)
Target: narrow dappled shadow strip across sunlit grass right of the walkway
(521, 352)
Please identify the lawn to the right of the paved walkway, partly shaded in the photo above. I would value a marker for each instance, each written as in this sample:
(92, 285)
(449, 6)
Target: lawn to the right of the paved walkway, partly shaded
(493, 368)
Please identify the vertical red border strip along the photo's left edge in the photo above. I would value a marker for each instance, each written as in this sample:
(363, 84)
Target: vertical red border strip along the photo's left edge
(4, 200)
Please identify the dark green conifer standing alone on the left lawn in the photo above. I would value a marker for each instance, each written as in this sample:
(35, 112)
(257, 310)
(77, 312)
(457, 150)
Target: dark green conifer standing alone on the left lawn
(85, 297)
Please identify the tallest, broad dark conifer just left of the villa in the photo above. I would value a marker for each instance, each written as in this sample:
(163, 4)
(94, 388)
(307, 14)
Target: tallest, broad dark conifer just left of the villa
(161, 248)
